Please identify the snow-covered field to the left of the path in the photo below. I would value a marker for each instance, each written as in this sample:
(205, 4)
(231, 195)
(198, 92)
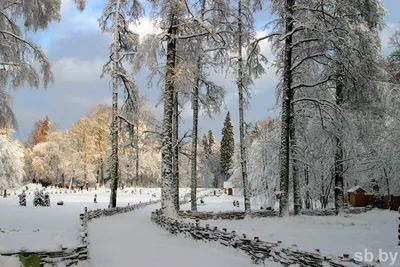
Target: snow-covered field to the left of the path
(37, 228)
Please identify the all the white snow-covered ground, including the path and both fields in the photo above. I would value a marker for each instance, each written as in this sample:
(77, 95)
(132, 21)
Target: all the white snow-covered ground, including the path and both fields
(36, 228)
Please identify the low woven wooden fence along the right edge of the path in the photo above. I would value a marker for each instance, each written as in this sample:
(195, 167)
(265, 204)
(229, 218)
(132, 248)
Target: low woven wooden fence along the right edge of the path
(259, 251)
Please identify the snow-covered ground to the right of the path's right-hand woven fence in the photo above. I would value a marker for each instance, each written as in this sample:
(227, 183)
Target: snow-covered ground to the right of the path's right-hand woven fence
(368, 232)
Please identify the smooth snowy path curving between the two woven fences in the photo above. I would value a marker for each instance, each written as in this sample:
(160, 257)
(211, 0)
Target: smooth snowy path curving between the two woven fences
(131, 239)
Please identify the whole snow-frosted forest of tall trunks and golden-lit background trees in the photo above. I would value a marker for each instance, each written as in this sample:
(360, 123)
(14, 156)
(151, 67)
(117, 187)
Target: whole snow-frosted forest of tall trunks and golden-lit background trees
(338, 97)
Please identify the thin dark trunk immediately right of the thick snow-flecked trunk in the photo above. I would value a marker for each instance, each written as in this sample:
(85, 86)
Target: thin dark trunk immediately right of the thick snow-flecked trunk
(175, 135)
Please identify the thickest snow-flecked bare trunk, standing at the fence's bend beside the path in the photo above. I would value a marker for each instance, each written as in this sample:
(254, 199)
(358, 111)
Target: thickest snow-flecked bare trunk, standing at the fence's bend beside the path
(167, 203)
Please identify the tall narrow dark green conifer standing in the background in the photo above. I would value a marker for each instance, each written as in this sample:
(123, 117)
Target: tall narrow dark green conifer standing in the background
(227, 146)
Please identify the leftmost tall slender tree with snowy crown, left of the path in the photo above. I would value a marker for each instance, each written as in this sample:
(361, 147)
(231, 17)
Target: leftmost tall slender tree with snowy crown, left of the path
(115, 19)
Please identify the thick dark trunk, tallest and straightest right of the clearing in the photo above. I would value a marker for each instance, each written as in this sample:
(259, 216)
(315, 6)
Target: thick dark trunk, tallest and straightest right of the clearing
(286, 112)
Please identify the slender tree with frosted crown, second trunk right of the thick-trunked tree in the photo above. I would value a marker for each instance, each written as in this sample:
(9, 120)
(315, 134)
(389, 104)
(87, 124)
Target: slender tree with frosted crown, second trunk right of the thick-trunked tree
(208, 52)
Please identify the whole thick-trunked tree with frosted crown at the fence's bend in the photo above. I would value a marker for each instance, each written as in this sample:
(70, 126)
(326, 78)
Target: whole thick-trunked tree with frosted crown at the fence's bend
(176, 19)
